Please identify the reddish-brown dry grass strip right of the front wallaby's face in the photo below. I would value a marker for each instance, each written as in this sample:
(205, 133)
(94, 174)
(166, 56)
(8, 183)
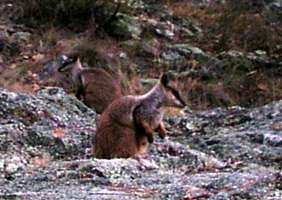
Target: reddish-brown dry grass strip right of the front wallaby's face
(250, 91)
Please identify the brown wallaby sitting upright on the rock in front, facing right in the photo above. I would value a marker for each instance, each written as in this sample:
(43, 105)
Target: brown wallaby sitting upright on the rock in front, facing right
(126, 126)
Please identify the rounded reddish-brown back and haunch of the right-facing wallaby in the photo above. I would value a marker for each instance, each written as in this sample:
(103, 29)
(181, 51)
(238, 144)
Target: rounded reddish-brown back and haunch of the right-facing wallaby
(116, 133)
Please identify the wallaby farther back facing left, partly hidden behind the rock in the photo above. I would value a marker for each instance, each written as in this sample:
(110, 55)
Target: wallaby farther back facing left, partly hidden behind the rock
(94, 86)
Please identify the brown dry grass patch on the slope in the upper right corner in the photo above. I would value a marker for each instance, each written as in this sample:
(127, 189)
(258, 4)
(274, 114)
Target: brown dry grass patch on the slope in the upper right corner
(231, 28)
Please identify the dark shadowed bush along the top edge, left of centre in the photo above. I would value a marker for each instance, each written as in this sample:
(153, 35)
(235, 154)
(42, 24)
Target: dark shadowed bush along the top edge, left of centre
(74, 12)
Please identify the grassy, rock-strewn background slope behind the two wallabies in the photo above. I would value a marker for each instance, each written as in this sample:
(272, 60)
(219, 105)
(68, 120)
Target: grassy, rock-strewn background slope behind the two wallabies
(138, 41)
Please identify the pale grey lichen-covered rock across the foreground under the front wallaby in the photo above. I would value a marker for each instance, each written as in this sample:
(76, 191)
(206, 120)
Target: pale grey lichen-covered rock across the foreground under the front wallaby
(232, 153)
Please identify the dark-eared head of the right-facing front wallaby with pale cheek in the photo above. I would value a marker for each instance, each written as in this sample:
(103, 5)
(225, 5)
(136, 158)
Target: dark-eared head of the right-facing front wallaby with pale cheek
(172, 96)
